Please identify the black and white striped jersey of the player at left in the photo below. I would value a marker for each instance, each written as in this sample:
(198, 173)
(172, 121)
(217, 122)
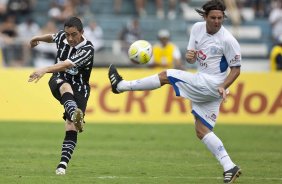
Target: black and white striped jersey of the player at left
(81, 56)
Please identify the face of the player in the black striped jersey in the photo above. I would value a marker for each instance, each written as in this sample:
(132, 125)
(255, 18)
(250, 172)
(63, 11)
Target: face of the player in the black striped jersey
(74, 37)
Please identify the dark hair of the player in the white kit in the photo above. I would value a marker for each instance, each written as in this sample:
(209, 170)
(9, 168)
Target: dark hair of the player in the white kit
(212, 5)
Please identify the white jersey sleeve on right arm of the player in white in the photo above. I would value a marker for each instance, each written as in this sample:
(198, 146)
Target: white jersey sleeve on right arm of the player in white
(232, 52)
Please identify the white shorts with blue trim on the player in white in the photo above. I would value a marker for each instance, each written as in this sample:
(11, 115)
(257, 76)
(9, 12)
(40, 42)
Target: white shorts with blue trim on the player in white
(201, 91)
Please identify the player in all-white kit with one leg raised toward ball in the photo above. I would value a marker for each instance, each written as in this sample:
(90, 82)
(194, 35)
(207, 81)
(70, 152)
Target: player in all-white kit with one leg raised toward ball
(214, 50)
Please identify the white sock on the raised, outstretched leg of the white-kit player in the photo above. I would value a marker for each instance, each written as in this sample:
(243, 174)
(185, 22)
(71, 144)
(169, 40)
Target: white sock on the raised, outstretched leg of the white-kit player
(147, 83)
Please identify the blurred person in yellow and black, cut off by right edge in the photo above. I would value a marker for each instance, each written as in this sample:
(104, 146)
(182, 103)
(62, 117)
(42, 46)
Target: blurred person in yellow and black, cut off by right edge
(276, 56)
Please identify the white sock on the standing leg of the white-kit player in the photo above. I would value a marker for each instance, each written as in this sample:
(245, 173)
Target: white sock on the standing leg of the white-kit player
(215, 145)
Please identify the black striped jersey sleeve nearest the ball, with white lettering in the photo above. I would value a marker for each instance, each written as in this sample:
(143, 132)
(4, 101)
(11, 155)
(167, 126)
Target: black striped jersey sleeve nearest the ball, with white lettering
(82, 57)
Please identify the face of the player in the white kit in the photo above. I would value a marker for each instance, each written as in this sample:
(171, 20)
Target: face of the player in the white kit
(214, 21)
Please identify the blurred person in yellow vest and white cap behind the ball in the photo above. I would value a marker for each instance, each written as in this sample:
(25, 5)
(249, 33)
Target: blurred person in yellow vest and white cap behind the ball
(165, 53)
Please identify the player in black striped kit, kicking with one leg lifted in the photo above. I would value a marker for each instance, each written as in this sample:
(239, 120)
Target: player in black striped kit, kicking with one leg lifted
(69, 82)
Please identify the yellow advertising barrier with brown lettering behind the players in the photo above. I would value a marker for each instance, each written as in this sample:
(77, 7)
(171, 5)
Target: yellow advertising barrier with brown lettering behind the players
(254, 98)
